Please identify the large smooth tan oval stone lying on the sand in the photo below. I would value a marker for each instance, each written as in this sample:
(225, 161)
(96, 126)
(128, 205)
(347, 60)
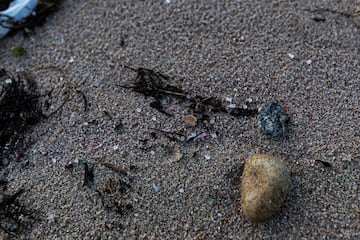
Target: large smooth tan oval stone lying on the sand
(265, 184)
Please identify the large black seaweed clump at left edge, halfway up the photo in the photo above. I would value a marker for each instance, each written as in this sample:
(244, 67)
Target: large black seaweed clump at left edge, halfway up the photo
(18, 106)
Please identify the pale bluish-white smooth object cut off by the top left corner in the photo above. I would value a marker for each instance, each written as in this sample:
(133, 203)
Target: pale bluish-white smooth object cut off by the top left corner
(17, 11)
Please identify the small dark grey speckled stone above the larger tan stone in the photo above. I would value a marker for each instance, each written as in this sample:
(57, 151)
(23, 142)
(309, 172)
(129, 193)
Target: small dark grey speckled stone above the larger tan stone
(272, 119)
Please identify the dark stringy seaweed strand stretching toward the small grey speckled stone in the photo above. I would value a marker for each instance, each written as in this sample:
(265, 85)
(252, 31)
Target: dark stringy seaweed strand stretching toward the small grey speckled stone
(154, 84)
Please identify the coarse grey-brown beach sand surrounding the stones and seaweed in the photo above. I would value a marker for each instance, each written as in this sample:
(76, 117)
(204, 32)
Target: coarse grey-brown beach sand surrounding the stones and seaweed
(304, 53)
